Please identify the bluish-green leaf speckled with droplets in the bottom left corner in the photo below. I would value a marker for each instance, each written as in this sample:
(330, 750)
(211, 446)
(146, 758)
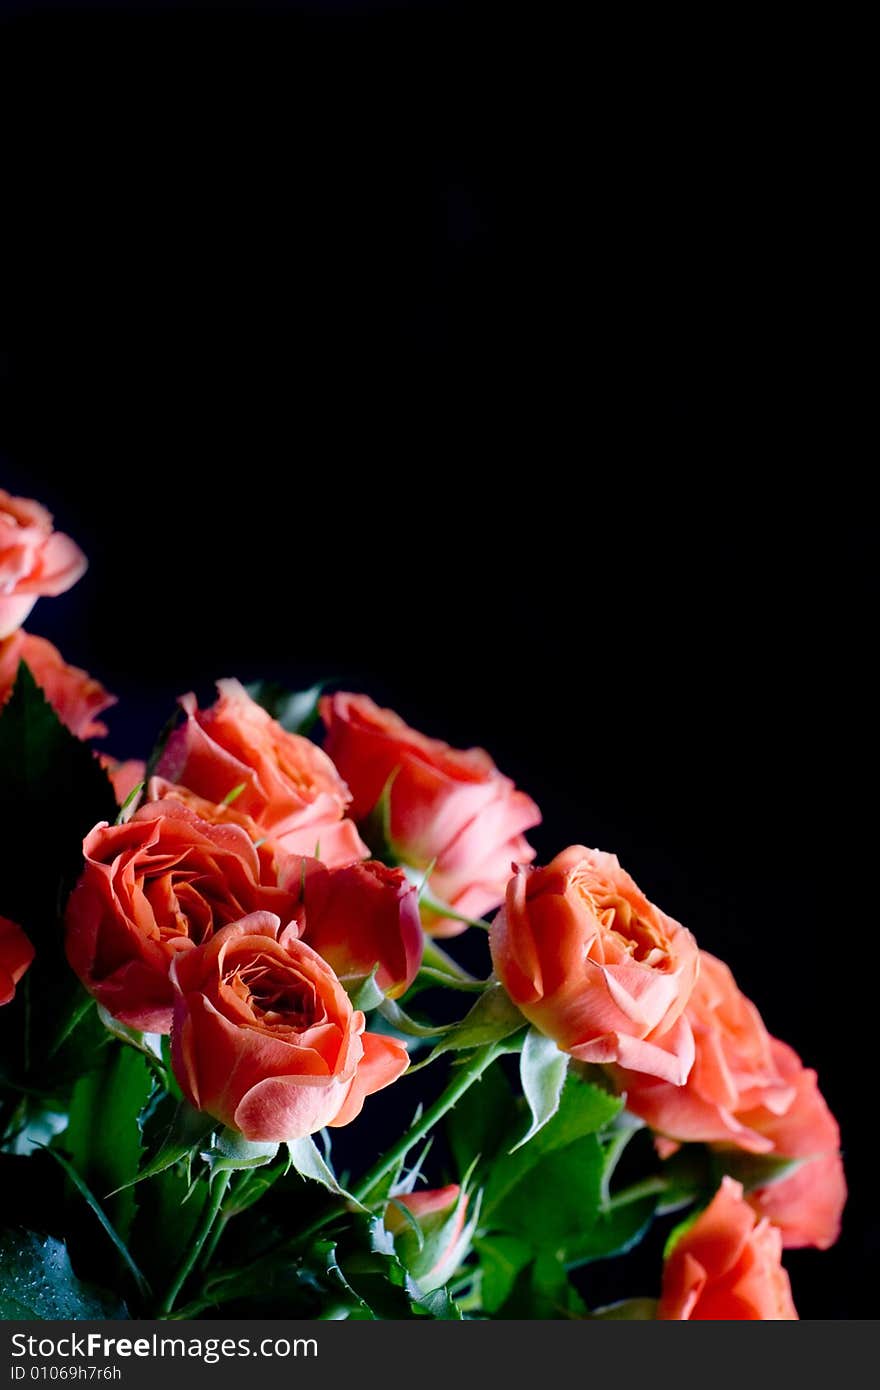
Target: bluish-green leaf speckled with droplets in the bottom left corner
(37, 1281)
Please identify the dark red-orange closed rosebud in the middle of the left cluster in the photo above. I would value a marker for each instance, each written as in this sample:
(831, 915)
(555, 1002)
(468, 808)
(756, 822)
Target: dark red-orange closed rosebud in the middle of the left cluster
(365, 917)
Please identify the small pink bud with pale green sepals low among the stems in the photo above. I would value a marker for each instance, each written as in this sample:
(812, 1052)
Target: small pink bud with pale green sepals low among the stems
(446, 1242)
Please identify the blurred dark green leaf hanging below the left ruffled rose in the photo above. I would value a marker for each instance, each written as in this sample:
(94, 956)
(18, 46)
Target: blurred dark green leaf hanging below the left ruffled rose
(104, 1138)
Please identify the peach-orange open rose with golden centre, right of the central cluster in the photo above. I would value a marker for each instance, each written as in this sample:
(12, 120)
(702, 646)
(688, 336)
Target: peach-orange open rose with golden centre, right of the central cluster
(596, 967)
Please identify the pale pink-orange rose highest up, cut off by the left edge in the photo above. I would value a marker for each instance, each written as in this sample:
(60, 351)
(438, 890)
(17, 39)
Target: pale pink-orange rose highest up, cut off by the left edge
(34, 559)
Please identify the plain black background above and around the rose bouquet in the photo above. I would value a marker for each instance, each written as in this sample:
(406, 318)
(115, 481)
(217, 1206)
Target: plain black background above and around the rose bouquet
(503, 373)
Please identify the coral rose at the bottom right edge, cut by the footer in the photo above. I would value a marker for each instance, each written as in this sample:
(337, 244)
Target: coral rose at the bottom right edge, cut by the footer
(728, 1267)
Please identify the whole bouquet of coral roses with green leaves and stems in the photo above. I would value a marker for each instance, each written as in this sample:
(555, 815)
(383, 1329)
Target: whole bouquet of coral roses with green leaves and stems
(211, 965)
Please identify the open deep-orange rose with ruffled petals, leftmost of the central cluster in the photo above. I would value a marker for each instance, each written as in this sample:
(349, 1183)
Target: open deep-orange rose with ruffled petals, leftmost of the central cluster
(152, 889)
